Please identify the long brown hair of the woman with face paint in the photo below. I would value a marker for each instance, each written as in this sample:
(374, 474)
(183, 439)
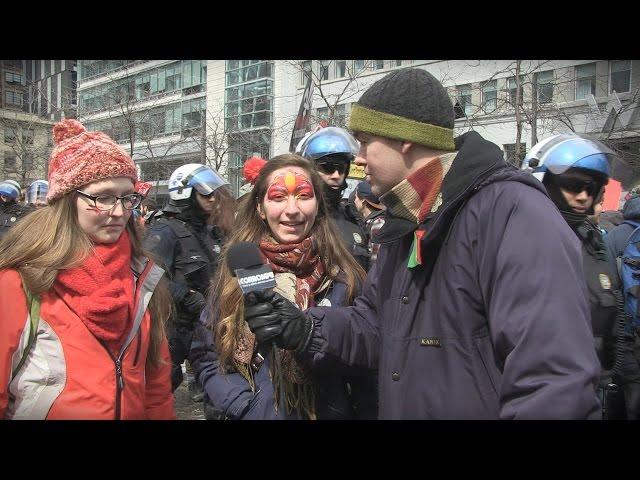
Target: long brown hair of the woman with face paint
(225, 295)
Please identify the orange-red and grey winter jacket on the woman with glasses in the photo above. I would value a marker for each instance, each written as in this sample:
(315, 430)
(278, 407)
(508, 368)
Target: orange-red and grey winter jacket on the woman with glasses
(68, 374)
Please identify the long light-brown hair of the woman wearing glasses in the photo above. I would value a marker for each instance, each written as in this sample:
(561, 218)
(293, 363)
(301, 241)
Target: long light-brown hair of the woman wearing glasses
(51, 239)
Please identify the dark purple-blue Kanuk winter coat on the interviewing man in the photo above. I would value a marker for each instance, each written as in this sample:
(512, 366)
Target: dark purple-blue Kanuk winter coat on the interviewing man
(494, 324)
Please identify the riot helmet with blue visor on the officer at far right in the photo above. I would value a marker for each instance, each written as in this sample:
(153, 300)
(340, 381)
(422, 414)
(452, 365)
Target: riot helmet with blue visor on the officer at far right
(559, 153)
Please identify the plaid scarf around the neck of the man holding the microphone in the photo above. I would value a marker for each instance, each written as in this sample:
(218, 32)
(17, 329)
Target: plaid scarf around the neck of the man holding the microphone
(420, 193)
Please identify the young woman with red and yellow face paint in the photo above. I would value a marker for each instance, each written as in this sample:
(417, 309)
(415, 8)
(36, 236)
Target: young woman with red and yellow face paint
(286, 217)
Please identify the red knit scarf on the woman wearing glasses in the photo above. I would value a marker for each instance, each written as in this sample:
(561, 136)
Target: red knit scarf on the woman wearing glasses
(100, 291)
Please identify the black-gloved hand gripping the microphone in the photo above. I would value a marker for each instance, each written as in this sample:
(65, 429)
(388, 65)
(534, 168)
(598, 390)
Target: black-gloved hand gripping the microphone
(271, 317)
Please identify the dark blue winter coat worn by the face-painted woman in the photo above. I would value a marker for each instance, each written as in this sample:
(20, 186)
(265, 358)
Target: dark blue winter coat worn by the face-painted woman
(231, 395)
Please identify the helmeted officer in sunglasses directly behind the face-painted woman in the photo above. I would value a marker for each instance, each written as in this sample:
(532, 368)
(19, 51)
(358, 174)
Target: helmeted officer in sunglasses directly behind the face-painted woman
(332, 149)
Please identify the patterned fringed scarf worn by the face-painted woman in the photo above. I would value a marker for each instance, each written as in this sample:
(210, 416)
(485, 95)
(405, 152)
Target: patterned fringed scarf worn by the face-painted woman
(299, 273)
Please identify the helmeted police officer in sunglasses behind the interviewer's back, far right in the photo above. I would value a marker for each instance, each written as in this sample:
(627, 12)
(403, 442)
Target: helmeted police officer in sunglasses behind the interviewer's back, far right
(574, 170)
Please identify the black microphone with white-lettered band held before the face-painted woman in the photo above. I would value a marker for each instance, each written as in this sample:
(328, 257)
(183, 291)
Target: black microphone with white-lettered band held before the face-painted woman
(246, 263)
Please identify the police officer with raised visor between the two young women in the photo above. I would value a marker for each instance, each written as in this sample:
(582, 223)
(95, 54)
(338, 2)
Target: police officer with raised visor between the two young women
(186, 241)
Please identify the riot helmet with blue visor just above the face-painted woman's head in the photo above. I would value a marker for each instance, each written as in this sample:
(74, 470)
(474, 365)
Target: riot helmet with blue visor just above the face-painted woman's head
(333, 142)
